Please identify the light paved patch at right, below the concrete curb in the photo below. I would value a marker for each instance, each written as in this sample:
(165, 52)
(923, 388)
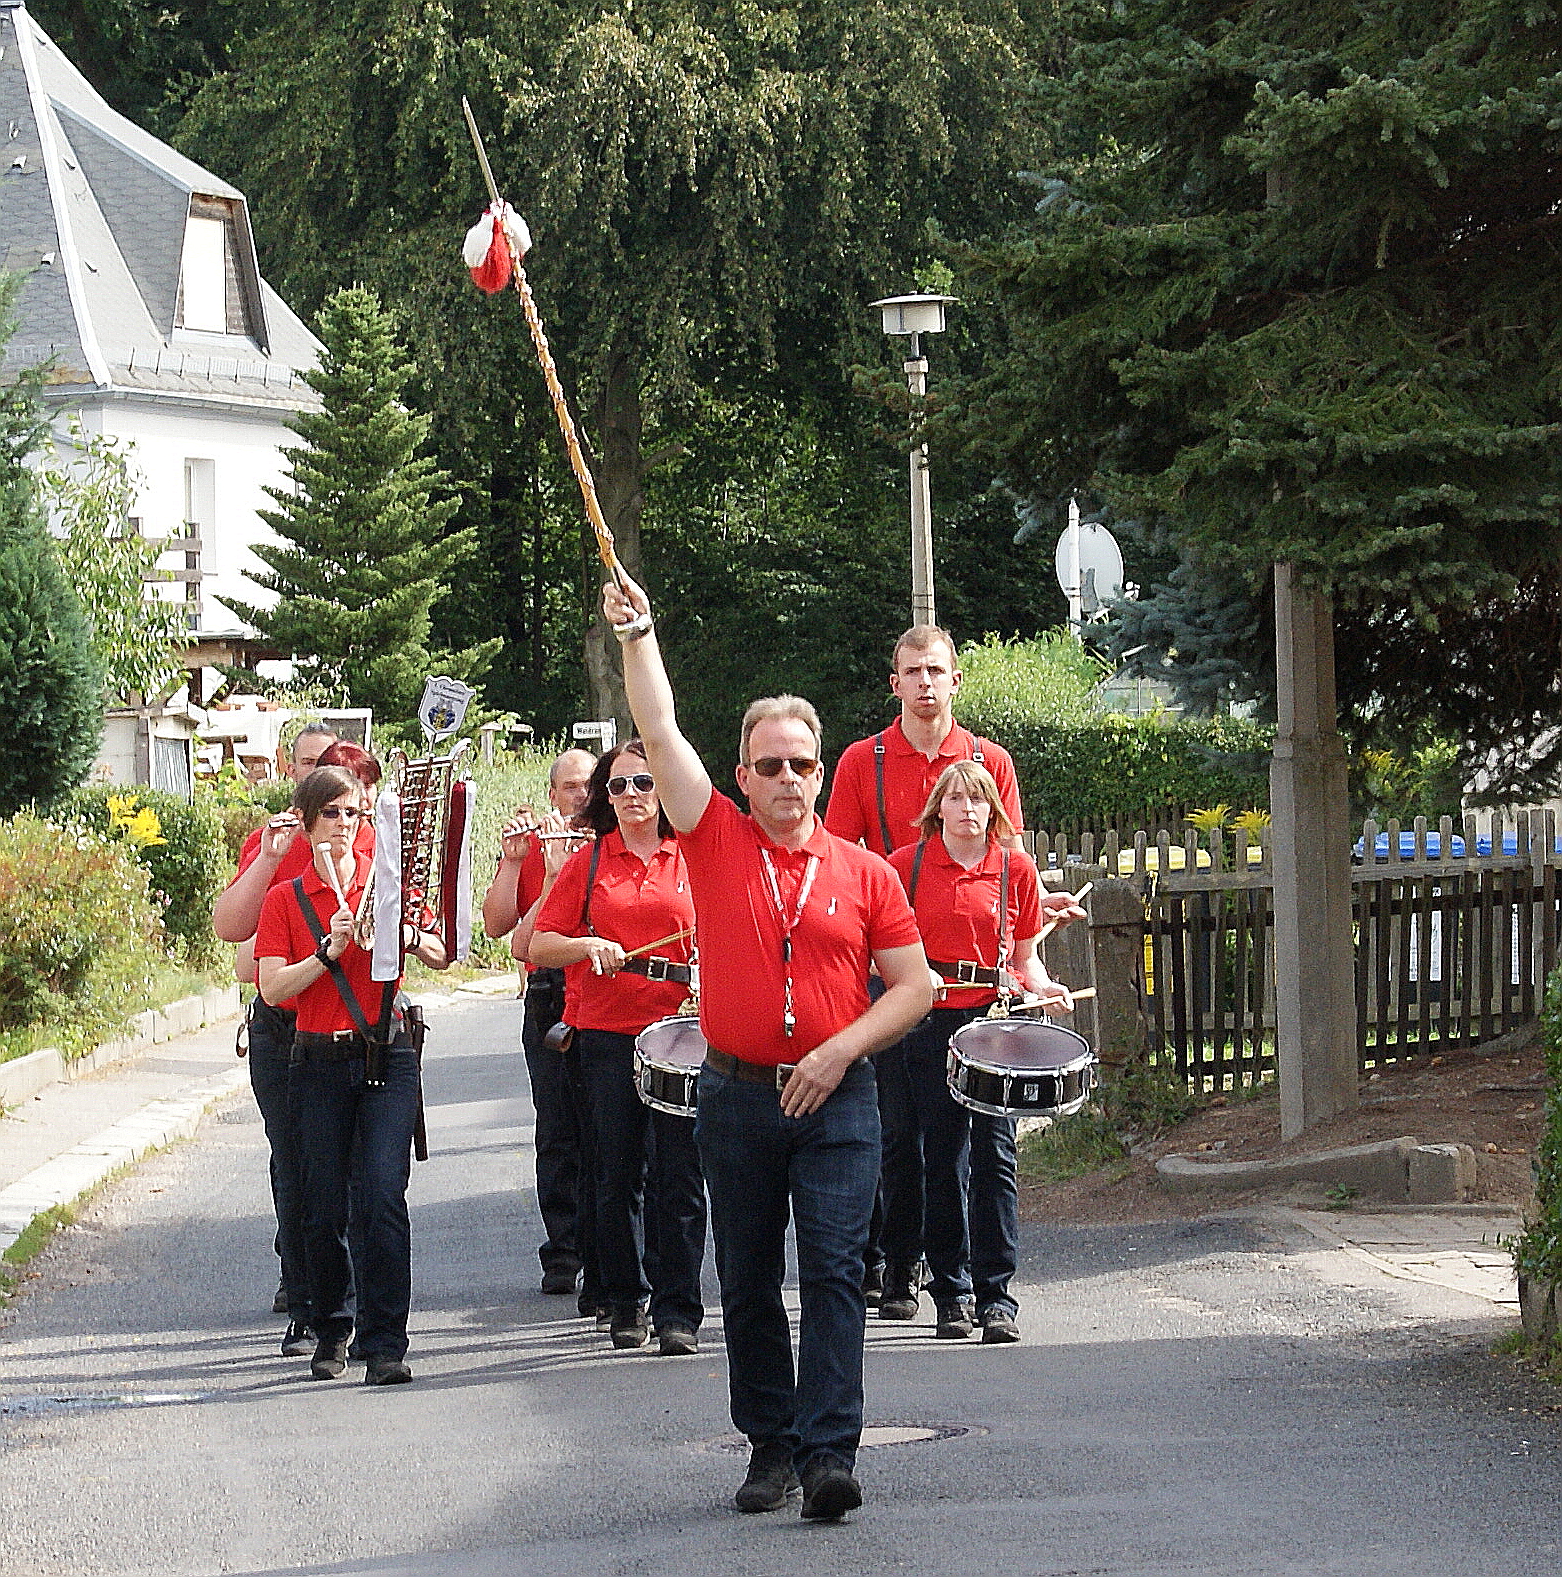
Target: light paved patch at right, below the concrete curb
(1454, 1247)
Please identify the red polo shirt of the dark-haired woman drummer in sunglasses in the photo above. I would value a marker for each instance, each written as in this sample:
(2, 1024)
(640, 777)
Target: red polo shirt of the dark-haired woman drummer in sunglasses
(633, 903)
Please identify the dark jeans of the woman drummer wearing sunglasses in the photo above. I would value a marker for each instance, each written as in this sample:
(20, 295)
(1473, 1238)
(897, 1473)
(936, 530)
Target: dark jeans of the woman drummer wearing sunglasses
(649, 1193)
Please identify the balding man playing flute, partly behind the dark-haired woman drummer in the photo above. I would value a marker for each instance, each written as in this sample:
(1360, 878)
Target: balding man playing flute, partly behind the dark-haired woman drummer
(514, 898)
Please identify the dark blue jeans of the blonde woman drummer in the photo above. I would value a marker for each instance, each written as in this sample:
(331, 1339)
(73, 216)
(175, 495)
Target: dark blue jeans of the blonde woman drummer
(970, 1198)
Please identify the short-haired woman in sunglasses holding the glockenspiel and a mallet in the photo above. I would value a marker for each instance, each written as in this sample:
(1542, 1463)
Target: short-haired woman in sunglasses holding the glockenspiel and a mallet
(308, 961)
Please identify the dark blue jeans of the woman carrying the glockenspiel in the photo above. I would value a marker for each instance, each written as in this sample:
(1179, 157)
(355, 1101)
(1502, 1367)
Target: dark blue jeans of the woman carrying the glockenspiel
(342, 1119)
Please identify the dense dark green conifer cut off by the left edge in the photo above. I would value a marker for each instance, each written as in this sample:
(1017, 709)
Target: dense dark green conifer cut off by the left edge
(51, 690)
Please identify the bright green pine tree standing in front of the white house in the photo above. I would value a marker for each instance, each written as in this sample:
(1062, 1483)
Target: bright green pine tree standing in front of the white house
(364, 553)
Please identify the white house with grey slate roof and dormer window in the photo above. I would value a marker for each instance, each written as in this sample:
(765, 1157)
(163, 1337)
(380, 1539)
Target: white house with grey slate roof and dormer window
(144, 297)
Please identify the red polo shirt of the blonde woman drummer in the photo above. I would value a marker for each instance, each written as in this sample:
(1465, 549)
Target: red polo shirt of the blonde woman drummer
(957, 909)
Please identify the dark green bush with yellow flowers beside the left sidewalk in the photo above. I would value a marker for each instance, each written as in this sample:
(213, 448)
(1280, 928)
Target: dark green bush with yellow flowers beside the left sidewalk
(189, 865)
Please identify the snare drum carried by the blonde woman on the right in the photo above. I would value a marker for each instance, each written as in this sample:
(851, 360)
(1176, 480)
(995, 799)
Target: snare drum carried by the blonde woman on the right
(1020, 1068)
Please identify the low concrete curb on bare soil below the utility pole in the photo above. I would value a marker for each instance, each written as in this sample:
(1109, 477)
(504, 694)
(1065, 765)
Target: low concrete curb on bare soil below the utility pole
(1397, 1171)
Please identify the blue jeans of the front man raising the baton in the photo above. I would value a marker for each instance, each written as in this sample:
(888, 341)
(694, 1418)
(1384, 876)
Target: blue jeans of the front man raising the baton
(823, 1171)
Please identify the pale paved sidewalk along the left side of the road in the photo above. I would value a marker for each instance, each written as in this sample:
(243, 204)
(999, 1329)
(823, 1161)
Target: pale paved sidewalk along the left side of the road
(72, 1136)
